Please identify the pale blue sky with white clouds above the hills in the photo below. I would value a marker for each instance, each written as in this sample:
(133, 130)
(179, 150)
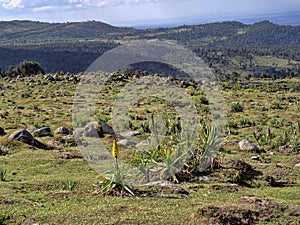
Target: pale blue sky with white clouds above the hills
(135, 12)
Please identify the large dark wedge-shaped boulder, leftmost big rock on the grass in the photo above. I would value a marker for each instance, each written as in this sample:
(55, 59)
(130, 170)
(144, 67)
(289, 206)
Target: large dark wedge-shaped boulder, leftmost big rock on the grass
(25, 137)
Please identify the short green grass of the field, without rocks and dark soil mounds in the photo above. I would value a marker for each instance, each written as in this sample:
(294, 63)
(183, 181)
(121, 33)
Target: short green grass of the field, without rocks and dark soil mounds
(50, 189)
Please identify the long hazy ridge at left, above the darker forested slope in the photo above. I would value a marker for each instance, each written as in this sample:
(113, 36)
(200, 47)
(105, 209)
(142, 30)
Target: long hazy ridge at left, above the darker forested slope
(21, 31)
